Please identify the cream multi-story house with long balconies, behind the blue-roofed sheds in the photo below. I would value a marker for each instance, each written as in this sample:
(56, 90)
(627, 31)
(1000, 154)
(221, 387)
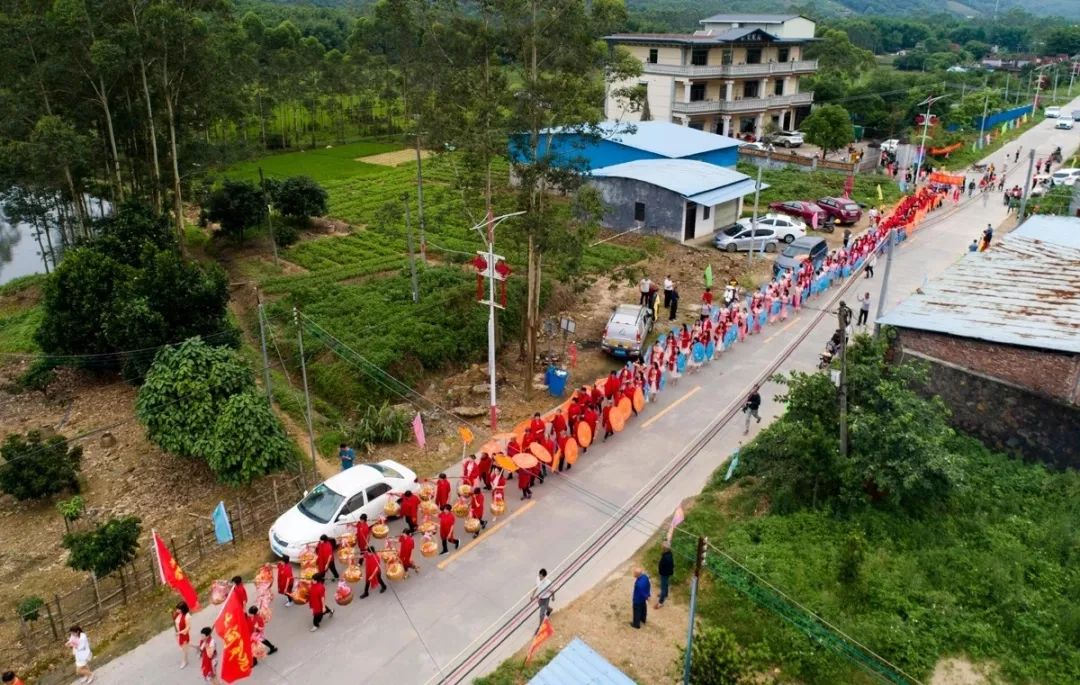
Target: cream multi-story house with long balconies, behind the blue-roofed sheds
(736, 76)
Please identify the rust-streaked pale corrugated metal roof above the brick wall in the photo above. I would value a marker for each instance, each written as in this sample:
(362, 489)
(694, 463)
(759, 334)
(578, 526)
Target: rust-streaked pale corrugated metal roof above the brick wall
(1023, 292)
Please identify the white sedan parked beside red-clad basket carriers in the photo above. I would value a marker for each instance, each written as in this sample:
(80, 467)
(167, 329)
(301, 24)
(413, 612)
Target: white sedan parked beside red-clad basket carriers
(334, 507)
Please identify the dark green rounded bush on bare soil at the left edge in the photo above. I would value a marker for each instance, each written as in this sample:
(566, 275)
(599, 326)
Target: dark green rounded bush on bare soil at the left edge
(36, 467)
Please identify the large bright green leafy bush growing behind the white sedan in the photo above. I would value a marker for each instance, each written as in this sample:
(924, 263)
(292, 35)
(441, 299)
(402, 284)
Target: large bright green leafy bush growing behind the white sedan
(200, 401)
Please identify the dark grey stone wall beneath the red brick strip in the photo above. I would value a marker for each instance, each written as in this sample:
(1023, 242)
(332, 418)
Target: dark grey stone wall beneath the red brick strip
(1005, 417)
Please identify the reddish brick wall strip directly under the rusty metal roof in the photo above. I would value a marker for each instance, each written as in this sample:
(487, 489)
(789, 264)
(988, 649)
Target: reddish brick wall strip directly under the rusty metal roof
(1051, 374)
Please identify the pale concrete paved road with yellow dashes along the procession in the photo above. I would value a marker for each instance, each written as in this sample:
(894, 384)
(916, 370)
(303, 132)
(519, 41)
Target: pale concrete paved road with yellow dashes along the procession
(425, 626)
